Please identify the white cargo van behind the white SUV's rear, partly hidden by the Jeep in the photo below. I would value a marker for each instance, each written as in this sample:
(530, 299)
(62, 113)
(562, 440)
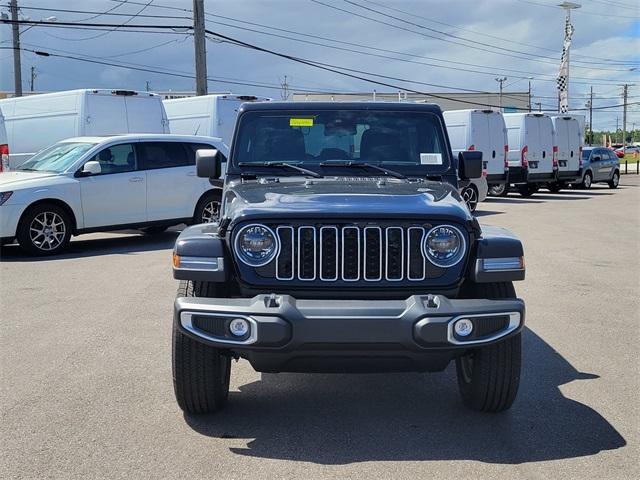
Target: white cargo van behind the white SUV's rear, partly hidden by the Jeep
(209, 115)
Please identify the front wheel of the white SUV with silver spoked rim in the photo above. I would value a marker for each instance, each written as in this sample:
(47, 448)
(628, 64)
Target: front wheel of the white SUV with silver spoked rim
(44, 229)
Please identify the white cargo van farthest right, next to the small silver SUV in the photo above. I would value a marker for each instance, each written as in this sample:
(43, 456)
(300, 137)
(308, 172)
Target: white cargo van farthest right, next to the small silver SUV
(569, 141)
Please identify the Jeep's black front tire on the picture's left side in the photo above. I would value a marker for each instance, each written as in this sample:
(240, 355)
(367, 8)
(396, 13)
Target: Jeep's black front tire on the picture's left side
(201, 373)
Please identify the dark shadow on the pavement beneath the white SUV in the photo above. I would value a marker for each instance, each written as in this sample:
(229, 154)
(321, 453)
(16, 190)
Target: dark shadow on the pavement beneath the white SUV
(80, 247)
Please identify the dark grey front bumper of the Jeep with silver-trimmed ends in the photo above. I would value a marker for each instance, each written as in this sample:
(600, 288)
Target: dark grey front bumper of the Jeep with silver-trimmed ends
(289, 334)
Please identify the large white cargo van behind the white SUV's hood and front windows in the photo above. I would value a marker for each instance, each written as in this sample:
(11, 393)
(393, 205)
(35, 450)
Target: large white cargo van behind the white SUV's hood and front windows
(35, 122)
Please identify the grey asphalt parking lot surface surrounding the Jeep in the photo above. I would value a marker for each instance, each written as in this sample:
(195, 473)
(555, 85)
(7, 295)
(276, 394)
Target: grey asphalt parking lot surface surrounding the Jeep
(86, 371)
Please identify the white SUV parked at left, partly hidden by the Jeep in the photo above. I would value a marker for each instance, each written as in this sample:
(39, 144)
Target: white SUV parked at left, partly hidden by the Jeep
(89, 184)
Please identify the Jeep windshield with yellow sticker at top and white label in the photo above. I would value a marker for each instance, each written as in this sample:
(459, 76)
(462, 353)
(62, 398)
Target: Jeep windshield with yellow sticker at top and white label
(402, 140)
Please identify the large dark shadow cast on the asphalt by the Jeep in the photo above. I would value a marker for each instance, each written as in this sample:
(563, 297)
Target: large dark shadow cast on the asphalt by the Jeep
(341, 419)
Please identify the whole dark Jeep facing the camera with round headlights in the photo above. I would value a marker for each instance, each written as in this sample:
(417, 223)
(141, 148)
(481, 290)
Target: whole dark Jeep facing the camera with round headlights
(343, 245)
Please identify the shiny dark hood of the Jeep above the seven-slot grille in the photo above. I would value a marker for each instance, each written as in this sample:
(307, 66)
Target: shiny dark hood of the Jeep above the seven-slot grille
(341, 197)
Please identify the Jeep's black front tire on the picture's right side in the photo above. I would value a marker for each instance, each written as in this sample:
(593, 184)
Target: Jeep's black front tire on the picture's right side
(489, 377)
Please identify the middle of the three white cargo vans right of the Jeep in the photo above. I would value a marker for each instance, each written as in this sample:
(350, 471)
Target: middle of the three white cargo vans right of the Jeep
(531, 155)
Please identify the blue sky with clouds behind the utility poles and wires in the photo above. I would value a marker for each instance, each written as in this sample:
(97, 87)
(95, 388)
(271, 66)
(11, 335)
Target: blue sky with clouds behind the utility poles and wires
(458, 44)
